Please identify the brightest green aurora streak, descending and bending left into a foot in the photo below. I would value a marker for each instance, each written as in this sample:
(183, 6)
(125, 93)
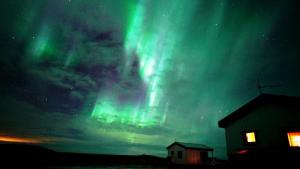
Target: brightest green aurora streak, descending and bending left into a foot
(154, 46)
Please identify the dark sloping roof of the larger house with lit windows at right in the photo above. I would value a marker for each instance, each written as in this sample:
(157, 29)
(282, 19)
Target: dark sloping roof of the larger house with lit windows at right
(256, 102)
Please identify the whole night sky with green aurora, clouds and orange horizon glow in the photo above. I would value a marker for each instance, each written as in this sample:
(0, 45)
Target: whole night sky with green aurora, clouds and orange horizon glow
(132, 76)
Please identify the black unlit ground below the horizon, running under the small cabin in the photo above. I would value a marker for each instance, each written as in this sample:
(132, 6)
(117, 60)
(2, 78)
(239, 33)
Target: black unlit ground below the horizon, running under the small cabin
(33, 156)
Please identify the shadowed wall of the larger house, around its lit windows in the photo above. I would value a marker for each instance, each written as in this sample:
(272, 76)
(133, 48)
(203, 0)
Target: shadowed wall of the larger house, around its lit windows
(270, 123)
